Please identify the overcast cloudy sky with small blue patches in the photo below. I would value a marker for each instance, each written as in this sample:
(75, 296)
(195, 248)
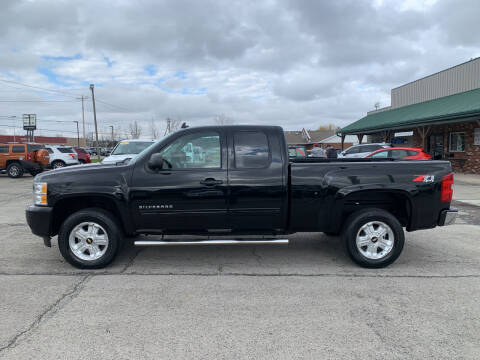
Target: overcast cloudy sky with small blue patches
(297, 63)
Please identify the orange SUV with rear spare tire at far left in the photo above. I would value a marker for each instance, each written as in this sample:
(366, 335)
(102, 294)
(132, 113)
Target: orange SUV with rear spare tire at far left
(18, 158)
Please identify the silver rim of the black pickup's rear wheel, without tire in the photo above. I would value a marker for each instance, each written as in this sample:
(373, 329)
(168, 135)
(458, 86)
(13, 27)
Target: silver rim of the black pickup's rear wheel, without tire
(375, 240)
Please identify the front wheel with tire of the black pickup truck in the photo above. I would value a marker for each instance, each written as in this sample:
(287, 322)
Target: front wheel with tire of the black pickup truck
(90, 239)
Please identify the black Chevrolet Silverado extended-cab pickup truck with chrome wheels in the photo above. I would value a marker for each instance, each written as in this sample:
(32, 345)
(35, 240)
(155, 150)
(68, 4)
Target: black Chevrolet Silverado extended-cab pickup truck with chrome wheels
(238, 180)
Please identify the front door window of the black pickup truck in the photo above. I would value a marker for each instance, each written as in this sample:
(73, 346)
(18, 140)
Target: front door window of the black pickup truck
(193, 151)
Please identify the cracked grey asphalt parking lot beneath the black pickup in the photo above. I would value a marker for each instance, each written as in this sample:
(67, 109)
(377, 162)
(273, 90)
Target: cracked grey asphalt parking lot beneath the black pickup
(305, 300)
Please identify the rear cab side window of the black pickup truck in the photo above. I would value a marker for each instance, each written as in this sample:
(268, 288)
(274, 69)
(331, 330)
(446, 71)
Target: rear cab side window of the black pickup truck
(251, 150)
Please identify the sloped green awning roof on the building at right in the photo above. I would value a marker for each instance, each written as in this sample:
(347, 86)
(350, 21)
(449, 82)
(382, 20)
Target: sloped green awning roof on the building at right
(454, 108)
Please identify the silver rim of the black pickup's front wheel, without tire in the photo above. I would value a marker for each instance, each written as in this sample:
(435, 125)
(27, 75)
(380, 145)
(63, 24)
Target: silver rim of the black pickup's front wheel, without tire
(88, 241)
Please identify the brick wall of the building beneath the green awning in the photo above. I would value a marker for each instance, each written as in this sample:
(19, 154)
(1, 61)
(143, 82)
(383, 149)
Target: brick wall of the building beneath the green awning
(465, 162)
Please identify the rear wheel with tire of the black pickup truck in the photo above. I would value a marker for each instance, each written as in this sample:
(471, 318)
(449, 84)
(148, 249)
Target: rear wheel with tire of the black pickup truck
(373, 238)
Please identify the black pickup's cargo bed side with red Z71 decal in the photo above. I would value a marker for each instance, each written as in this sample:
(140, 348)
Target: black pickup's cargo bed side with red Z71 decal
(323, 190)
